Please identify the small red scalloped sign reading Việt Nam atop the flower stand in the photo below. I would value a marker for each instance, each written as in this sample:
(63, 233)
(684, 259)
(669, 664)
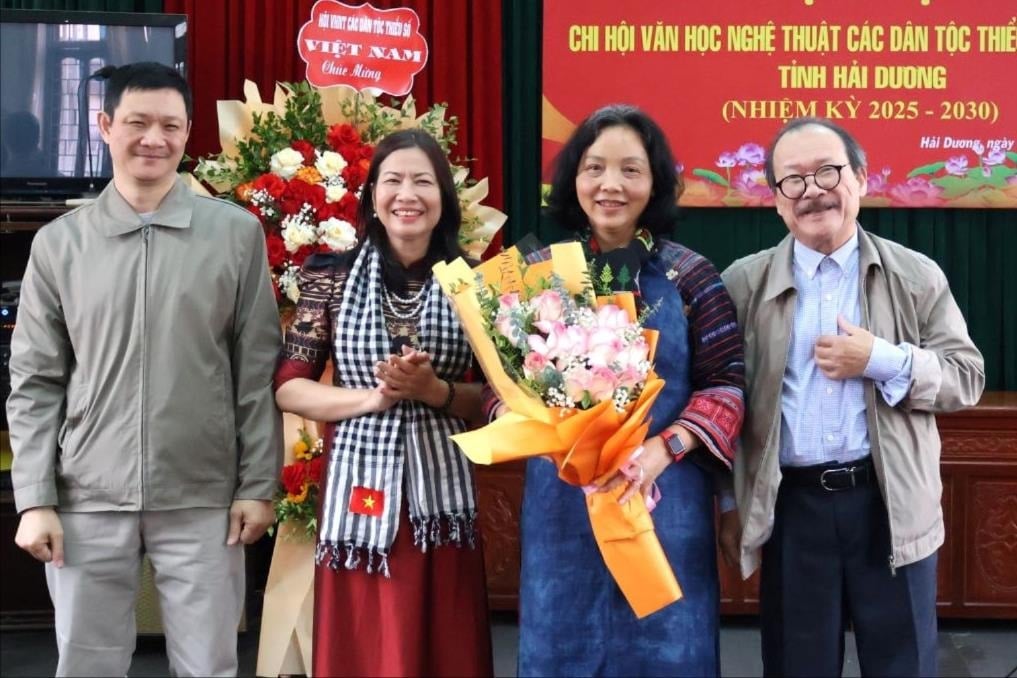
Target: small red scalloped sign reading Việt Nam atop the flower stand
(363, 47)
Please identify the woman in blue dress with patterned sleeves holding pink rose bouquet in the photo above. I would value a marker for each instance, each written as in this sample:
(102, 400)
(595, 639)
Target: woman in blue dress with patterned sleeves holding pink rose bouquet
(616, 187)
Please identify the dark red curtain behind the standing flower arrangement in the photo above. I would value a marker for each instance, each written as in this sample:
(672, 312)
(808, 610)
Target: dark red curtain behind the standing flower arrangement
(235, 40)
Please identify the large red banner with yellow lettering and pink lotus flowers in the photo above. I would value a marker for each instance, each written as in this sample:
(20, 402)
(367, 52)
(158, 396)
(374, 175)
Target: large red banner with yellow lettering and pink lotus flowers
(928, 88)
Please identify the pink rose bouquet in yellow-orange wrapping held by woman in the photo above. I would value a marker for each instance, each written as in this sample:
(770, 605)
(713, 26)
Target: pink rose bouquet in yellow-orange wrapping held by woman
(576, 373)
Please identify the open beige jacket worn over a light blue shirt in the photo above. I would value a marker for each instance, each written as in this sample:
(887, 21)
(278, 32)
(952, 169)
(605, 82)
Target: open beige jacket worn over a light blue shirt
(906, 299)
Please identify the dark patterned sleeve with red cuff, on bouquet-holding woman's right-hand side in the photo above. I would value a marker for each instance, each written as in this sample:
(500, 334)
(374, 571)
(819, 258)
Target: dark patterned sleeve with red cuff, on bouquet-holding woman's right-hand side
(716, 408)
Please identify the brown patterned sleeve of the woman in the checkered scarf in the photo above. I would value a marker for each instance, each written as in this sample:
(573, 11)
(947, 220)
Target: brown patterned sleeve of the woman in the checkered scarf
(309, 339)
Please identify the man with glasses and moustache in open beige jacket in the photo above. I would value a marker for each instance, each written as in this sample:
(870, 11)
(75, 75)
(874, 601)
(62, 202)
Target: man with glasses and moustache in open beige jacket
(853, 345)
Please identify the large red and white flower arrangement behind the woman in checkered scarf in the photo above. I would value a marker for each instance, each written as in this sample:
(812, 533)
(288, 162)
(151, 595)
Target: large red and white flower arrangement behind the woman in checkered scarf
(300, 165)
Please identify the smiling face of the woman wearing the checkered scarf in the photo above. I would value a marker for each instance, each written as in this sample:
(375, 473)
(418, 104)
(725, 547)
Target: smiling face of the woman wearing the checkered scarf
(407, 200)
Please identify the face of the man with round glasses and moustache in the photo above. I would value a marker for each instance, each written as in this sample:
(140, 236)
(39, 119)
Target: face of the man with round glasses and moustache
(821, 220)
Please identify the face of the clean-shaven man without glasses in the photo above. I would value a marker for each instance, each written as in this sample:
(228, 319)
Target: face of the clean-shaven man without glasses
(147, 137)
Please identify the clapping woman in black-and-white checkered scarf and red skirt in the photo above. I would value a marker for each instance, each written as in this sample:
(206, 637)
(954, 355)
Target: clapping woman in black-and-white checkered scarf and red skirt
(400, 586)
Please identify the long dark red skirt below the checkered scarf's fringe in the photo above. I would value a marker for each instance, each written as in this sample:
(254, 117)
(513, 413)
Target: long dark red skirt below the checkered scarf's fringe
(430, 619)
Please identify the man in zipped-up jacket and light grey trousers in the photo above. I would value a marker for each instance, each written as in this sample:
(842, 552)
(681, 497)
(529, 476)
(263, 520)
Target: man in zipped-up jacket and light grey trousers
(142, 412)
